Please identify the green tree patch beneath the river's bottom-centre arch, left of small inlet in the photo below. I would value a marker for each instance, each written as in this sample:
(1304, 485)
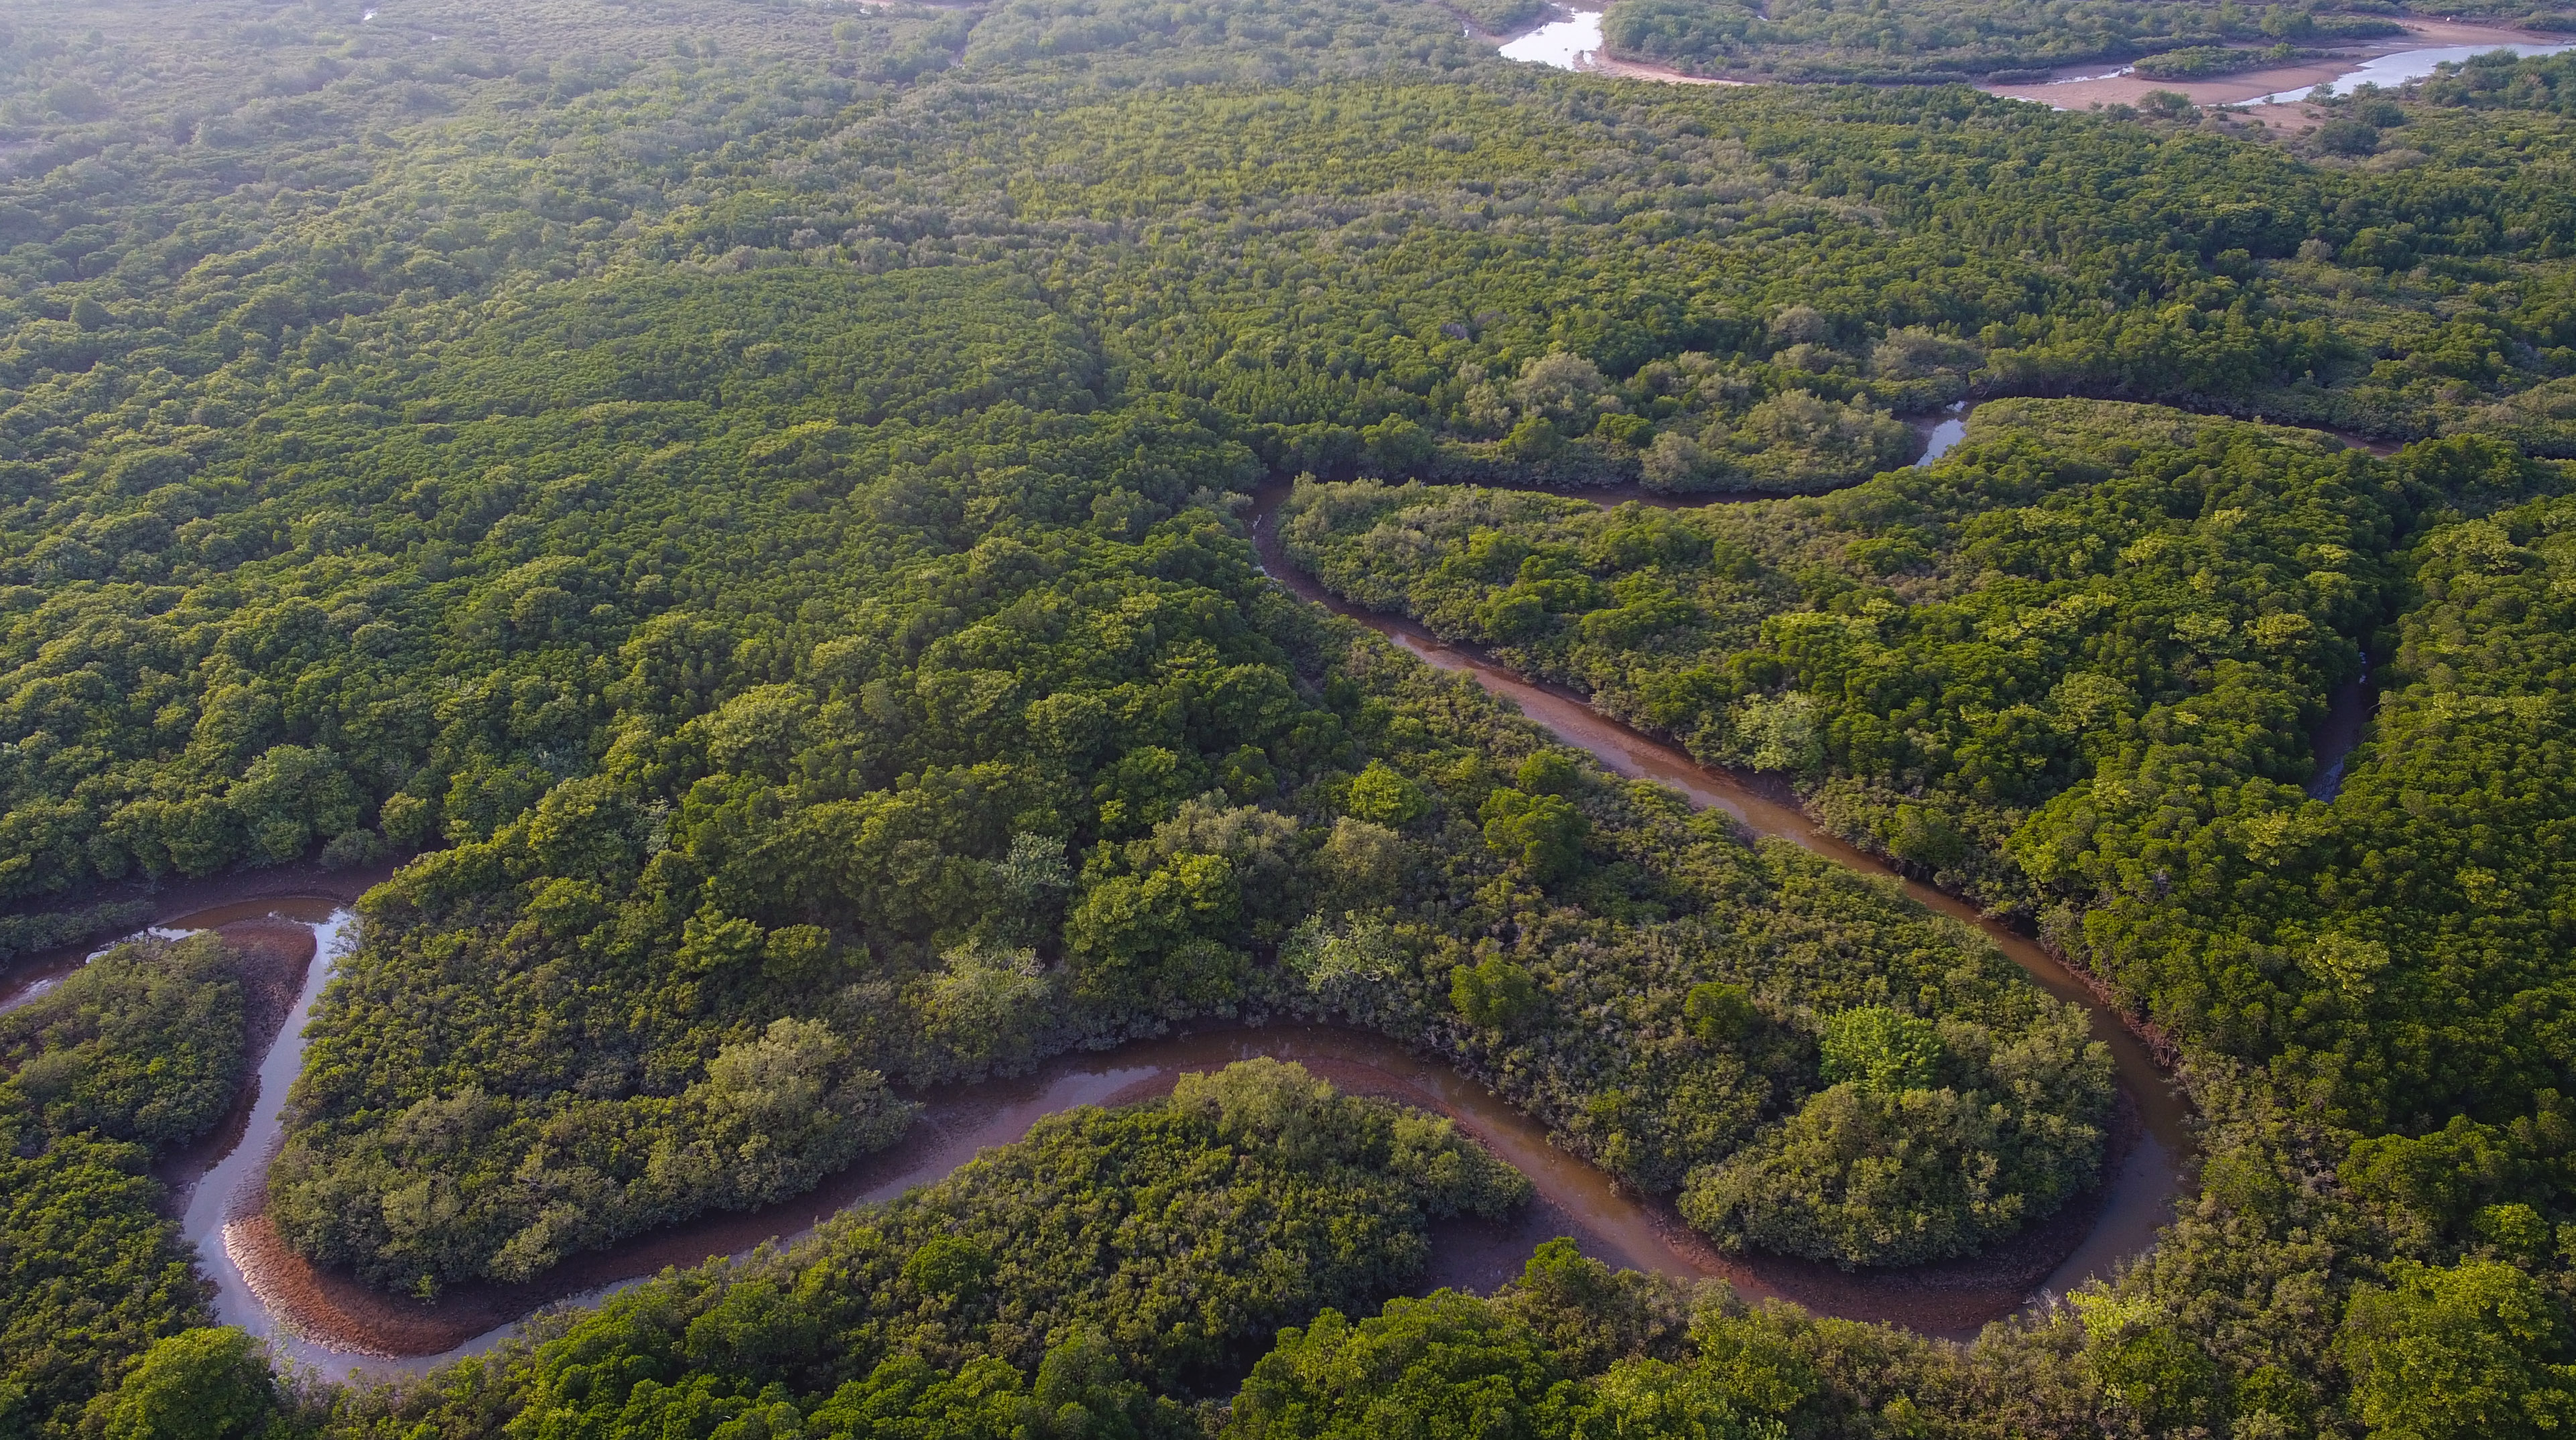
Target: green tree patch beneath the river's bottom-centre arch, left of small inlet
(1163, 1243)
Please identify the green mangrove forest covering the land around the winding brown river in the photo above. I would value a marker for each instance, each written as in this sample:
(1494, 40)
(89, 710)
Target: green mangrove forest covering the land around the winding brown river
(748, 504)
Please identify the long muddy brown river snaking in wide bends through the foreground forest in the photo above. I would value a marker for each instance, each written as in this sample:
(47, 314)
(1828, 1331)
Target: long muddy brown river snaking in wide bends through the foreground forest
(334, 1325)
